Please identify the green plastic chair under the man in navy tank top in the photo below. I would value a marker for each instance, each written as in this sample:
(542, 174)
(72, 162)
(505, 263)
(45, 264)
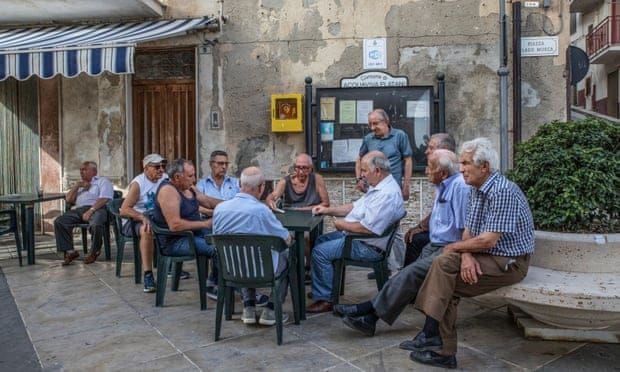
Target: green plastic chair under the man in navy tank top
(164, 261)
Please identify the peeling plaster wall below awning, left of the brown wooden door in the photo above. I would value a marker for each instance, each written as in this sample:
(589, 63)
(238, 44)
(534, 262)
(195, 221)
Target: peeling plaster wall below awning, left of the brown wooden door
(93, 126)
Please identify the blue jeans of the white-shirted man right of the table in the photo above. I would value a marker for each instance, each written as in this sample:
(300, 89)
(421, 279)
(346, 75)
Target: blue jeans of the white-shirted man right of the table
(328, 248)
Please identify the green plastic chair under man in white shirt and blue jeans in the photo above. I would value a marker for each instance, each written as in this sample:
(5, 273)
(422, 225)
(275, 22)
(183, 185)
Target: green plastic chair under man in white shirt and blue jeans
(380, 266)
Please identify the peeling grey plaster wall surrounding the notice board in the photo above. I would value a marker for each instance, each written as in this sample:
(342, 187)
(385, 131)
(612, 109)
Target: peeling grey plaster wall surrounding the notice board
(269, 46)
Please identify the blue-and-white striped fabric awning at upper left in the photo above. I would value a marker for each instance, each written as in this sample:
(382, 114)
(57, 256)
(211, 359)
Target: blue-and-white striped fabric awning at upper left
(71, 50)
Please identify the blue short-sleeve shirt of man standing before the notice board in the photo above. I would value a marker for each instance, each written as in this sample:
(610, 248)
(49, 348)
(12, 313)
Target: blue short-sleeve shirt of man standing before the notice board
(395, 146)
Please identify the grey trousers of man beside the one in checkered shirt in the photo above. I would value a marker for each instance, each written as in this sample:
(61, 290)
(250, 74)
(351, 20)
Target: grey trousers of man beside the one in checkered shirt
(402, 288)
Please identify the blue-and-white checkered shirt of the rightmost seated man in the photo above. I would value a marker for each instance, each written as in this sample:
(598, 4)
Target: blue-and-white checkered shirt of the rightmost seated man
(500, 206)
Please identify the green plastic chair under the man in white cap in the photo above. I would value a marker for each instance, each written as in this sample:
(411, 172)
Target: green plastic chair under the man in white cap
(122, 239)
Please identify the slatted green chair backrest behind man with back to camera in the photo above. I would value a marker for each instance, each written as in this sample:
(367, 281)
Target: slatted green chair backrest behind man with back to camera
(246, 258)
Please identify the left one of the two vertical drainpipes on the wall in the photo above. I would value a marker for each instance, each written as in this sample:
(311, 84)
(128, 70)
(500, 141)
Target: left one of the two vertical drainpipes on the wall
(503, 89)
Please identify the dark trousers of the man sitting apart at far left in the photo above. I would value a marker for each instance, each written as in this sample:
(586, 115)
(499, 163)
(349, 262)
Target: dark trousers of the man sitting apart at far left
(64, 225)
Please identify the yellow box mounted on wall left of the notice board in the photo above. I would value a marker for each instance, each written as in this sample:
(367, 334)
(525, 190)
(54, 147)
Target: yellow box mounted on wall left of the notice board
(286, 113)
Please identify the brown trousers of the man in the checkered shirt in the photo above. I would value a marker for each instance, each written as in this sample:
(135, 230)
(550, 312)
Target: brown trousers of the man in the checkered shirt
(441, 291)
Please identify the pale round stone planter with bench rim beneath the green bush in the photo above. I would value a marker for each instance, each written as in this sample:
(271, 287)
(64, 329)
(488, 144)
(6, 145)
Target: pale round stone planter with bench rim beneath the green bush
(573, 282)
